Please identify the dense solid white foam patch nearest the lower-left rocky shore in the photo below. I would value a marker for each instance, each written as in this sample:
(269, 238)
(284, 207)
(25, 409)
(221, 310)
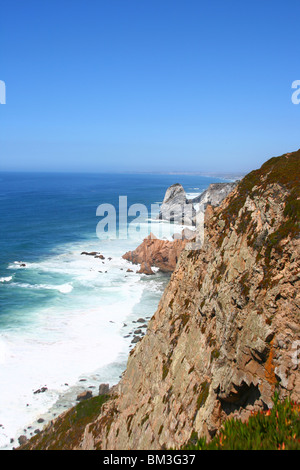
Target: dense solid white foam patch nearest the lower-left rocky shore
(57, 349)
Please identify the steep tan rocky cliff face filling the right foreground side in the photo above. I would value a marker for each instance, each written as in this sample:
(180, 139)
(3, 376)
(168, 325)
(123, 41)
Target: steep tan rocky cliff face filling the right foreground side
(227, 329)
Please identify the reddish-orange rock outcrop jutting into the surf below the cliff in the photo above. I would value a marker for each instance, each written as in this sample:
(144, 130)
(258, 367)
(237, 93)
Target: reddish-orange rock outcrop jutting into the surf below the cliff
(162, 254)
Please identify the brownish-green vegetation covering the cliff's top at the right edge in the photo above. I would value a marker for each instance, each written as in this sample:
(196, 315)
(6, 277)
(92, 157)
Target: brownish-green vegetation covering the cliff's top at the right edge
(283, 174)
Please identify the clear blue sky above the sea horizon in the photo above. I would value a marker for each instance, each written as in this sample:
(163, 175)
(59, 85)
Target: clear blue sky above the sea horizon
(148, 85)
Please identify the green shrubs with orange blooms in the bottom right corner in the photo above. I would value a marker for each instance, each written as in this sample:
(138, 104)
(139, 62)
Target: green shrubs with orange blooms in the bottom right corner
(275, 429)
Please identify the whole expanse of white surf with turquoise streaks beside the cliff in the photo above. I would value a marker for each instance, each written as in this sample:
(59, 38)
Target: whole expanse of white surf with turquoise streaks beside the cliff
(83, 334)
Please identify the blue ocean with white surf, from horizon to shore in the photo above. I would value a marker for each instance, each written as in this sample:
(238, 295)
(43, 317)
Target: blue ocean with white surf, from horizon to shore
(66, 319)
